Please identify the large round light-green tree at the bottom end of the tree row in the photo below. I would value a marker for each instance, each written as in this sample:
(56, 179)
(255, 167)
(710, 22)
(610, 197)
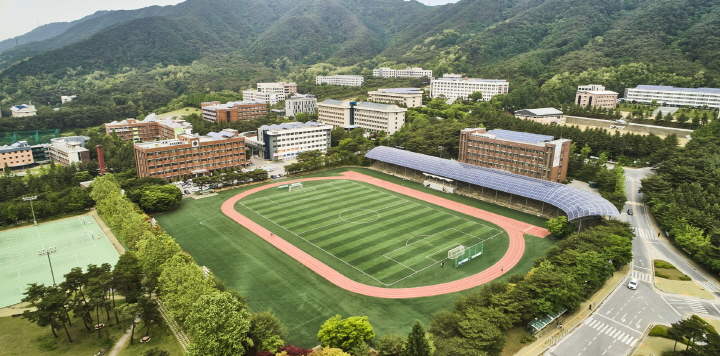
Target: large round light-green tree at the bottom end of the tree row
(219, 324)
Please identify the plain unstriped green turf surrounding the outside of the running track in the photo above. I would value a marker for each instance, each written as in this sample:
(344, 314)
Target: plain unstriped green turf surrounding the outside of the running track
(270, 280)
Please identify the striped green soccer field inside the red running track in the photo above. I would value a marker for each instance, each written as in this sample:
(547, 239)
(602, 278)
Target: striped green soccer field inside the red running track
(374, 235)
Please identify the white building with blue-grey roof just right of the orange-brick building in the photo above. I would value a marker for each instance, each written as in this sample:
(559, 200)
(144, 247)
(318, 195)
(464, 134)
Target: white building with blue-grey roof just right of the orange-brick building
(285, 141)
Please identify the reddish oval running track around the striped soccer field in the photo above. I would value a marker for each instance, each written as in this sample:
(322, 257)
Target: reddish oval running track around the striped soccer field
(514, 228)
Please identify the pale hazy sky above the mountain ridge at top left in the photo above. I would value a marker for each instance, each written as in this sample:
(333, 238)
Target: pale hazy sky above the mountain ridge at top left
(18, 17)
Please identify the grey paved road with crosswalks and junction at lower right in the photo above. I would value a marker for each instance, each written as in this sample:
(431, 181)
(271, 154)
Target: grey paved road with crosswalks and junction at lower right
(621, 320)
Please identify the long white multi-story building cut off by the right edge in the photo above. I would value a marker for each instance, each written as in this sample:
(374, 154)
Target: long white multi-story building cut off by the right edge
(672, 96)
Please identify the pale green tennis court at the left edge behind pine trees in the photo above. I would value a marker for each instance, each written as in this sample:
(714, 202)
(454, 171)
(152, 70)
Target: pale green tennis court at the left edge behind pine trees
(71, 242)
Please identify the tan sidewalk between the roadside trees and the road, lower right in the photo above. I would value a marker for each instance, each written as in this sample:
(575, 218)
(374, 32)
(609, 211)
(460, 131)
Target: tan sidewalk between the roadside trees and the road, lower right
(550, 335)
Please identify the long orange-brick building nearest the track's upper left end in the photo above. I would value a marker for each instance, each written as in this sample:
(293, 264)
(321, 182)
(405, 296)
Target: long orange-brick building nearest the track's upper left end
(191, 155)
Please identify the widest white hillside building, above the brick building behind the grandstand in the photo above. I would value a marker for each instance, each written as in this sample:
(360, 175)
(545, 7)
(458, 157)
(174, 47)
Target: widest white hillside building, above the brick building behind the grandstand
(453, 86)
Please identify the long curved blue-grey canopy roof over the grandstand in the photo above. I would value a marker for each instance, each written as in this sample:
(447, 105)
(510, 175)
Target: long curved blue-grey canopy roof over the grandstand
(576, 203)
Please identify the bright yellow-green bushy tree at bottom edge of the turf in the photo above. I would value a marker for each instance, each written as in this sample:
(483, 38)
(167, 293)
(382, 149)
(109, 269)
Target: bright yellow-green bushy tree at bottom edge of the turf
(345, 333)
